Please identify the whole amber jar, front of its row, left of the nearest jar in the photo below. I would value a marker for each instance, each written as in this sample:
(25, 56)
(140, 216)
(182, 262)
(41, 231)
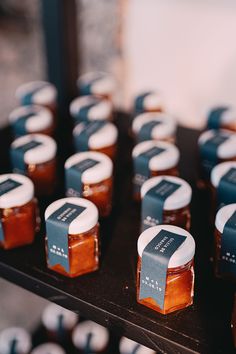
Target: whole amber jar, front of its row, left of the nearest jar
(72, 236)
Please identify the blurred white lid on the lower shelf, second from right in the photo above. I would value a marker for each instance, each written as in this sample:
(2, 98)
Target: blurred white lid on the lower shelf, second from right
(99, 339)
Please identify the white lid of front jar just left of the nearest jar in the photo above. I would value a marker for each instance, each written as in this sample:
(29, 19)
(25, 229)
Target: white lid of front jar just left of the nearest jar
(84, 222)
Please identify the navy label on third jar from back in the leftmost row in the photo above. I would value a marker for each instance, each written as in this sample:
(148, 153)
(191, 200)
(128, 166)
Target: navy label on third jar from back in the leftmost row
(17, 155)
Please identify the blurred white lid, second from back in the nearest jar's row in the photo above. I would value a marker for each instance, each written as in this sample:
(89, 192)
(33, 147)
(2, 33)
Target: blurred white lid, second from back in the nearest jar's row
(165, 129)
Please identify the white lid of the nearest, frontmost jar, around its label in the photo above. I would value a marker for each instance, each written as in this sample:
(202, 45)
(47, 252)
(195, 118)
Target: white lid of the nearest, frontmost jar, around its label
(182, 255)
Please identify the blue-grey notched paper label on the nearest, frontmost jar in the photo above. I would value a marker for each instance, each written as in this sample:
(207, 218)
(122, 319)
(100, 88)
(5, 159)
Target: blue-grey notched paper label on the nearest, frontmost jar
(155, 260)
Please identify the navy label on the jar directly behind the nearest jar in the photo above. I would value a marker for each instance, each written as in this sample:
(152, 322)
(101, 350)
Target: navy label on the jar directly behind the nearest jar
(153, 203)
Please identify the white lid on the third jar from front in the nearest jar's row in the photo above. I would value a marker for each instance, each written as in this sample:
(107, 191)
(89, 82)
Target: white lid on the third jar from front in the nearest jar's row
(163, 161)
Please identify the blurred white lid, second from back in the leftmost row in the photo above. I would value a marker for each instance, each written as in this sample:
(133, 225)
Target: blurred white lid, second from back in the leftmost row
(41, 117)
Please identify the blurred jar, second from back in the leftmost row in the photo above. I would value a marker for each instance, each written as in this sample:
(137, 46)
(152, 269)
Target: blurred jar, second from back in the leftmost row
(31, 119)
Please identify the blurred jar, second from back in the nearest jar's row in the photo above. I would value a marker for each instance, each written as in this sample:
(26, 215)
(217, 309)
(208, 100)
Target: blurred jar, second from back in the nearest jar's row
(154, 126)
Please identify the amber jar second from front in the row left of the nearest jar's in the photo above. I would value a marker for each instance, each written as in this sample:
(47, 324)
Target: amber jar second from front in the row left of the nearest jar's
(89, 175)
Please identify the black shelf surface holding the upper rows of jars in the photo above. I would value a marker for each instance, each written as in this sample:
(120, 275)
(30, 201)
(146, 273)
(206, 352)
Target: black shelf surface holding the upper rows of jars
(108, 296)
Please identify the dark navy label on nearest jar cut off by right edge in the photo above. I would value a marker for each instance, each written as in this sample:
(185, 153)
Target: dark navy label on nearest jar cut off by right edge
(228, 247)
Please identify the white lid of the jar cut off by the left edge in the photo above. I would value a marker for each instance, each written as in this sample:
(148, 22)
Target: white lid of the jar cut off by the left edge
(19, 195)
